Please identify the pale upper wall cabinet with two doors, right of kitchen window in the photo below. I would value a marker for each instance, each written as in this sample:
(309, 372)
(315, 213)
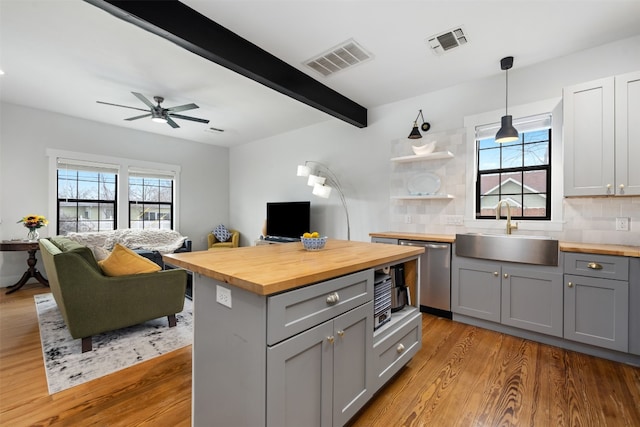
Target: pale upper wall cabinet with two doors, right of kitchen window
(602, 137)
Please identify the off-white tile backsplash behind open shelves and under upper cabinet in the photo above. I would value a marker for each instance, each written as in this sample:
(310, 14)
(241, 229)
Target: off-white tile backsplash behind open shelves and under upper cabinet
(585, 219)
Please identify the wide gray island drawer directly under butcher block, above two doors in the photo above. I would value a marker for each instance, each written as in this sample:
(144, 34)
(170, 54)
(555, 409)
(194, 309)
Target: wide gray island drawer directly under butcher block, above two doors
(293, 312)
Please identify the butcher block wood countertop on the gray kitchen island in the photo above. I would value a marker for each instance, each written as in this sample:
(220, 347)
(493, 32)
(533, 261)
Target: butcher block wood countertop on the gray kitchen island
(270, 269)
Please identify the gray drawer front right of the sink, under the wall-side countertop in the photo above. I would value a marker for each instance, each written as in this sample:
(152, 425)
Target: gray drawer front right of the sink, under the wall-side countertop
(599, 266)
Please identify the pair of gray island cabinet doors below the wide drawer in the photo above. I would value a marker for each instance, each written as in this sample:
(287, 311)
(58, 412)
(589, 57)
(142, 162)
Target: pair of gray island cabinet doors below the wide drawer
(323, 376)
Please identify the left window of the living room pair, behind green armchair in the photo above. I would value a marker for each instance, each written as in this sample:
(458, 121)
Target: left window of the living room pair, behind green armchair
(87, 196)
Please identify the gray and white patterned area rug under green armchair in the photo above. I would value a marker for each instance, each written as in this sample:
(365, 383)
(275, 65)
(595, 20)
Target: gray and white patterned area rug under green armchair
(67, 366)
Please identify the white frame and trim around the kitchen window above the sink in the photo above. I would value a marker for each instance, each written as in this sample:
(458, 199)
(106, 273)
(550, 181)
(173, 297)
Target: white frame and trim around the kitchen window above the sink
(552, 106)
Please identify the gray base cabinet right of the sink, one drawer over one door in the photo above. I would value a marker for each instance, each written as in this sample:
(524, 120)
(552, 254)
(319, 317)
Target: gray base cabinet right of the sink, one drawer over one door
(596, 295)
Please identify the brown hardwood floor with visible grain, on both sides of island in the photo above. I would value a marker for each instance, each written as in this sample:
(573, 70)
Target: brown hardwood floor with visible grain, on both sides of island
(463, 376)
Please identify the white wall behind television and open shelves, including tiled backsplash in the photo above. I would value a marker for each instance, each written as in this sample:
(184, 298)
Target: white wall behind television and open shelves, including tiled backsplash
(265, 170)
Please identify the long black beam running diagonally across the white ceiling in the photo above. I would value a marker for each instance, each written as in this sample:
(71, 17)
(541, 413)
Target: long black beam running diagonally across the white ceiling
(195, 32)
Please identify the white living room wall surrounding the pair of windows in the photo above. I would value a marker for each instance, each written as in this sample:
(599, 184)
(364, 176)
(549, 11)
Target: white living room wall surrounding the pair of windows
(27, 133)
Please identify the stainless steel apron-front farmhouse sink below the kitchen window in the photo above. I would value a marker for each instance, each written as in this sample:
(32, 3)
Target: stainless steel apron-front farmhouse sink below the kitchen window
(539, 250)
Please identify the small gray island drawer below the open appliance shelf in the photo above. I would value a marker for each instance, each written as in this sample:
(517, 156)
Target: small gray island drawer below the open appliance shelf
(395, 350)
